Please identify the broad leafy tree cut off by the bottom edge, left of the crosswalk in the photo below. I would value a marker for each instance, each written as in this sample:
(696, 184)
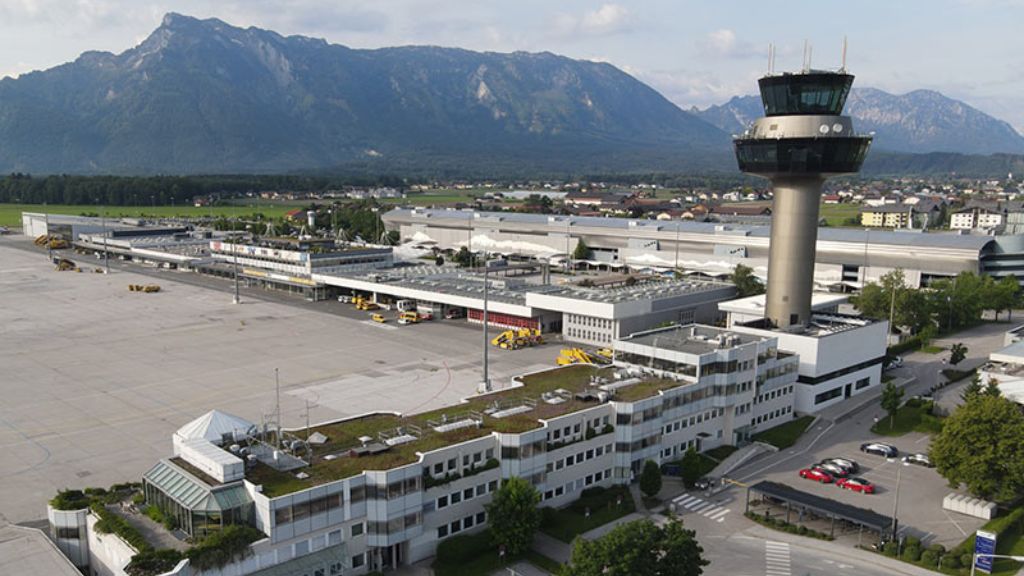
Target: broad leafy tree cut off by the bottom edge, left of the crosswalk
(639, 549)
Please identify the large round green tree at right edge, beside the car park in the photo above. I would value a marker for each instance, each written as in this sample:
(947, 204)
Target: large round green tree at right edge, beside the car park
(980, 446)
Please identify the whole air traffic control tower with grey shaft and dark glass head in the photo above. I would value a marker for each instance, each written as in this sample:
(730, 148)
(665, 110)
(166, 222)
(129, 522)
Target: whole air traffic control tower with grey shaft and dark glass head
(802, 141)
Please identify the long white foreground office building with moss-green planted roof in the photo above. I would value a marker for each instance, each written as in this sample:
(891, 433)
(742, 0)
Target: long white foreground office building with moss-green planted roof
(381, 491)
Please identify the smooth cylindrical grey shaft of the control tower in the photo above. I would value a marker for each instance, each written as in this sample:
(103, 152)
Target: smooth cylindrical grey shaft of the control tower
(791, 255)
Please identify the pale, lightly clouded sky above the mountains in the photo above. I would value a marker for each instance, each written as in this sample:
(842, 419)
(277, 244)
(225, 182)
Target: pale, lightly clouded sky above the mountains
(696, 53)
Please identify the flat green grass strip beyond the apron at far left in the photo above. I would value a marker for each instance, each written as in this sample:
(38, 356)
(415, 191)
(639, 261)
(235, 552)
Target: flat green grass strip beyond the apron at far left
(11, 215)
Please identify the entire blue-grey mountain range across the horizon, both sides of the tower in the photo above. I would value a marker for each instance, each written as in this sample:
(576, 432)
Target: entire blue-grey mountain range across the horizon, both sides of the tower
(203, 97)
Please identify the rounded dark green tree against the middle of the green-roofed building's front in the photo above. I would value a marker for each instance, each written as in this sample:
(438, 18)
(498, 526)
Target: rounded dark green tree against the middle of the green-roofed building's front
(515, 516)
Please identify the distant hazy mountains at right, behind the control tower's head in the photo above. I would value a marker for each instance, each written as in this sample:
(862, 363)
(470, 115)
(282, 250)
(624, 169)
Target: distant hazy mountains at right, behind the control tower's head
(918, 122)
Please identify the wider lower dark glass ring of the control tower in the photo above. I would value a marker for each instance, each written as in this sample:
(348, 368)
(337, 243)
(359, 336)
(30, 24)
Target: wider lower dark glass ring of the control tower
(801, 156)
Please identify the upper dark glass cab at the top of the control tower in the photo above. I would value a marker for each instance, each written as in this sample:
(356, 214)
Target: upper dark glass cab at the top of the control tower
(805, 94)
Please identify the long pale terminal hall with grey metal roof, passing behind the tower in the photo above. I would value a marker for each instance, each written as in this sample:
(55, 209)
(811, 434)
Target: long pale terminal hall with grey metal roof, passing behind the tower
(846, 258)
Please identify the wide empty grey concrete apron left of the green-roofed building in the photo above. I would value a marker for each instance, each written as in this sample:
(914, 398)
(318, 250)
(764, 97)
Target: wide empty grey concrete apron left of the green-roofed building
(97, 379)
